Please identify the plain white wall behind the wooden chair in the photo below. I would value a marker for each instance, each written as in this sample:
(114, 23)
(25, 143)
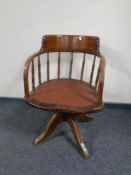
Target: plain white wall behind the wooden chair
(24, 22)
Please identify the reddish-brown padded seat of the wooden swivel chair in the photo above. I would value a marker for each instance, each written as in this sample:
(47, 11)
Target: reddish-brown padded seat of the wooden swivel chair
(66, 95)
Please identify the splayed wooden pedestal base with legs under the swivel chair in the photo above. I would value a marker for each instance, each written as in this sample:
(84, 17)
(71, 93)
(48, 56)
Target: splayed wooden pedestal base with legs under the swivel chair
(59, 117)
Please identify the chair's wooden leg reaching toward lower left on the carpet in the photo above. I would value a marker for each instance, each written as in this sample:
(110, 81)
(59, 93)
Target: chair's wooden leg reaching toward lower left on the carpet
(50, 127)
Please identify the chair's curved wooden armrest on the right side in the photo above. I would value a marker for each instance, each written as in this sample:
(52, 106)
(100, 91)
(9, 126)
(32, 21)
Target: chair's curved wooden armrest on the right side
(101, 78)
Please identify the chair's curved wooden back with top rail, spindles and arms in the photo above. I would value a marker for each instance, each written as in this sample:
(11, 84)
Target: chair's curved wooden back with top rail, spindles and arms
(67, 43)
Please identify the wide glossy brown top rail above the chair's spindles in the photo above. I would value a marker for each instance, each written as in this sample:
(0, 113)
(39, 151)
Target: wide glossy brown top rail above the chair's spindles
(70, 43)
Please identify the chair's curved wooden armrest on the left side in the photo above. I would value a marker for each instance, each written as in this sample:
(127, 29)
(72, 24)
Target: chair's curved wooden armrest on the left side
(26, 71)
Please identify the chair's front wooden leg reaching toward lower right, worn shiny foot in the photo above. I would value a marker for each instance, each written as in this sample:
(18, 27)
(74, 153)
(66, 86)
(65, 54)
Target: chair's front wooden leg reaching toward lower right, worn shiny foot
(78, 137)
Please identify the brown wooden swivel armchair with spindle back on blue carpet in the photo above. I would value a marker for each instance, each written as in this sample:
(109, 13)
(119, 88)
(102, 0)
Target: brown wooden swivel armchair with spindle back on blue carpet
(67, 97)
